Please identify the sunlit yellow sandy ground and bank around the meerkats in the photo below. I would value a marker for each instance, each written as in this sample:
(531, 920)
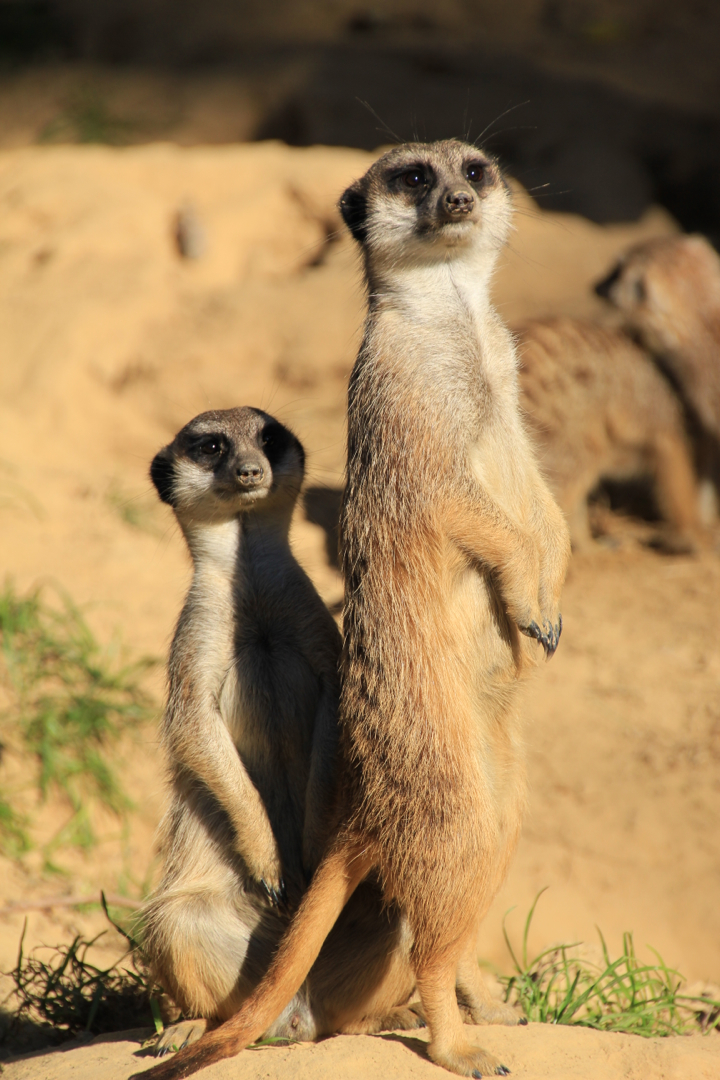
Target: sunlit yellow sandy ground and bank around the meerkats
(110, 342)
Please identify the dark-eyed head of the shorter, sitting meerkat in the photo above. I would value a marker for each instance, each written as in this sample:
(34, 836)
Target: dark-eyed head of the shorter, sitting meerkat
(227, 463)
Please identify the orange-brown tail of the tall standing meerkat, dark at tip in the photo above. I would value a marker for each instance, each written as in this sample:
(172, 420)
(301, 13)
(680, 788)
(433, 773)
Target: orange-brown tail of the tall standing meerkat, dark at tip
(335, 882)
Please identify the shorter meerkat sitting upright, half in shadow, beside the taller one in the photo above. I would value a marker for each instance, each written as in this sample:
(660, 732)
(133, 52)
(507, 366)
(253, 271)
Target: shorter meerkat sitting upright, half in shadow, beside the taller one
(251, 735)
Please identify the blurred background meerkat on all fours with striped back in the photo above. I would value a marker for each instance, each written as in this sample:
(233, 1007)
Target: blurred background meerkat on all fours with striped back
(601, 410)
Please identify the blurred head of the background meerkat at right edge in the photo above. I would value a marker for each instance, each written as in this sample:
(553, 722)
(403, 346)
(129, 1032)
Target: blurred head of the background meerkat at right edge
(663, 288)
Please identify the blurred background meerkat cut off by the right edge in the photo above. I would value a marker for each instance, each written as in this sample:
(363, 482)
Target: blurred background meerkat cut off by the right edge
(669, 292)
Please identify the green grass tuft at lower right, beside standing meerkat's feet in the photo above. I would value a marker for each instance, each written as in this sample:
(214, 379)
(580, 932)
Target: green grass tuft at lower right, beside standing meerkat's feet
(562, 987)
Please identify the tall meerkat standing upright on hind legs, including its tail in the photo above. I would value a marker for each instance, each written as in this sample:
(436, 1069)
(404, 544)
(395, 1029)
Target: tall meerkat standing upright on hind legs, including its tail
(454, 555)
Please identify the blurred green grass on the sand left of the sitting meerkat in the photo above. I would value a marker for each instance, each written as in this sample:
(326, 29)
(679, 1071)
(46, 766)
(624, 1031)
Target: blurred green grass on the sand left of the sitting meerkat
(71, 701)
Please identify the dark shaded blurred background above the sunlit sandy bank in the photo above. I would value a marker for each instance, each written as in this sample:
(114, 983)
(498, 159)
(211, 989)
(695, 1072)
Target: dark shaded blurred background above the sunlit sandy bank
(602, 107)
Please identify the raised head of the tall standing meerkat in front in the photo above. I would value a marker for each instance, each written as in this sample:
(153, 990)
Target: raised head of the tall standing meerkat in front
(426, 202)
